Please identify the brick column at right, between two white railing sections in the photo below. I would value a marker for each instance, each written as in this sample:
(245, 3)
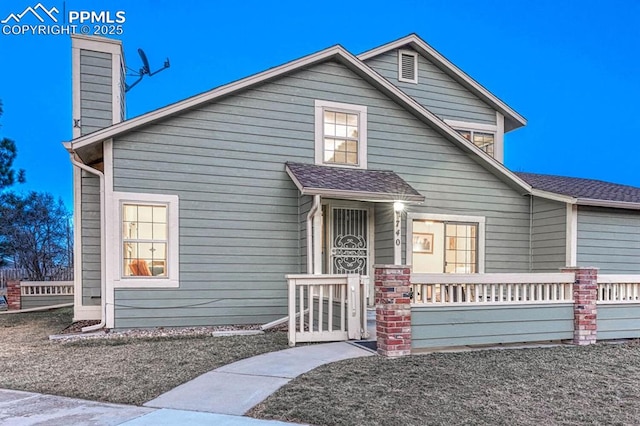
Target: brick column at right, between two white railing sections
(585, 295)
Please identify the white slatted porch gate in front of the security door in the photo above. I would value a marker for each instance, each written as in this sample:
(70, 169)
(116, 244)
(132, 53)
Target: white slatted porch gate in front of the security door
(325, 308)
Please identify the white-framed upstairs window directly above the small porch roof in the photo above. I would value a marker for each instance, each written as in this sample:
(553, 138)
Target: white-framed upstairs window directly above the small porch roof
(340, 134)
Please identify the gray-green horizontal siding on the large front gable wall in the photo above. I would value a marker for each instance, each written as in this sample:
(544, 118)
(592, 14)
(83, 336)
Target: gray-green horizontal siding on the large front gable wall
(242, 222)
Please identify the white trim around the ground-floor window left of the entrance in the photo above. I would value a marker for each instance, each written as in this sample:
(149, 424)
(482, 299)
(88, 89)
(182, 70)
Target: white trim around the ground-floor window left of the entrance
(173, 264)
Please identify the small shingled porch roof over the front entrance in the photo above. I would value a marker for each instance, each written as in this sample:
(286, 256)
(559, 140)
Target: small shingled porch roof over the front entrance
(351, 184)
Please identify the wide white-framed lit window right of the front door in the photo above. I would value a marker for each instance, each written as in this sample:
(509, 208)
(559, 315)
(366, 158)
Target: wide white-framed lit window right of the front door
(451, 244)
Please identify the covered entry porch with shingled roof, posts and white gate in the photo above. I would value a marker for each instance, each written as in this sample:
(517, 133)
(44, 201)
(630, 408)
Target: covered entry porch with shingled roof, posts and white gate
(350, 219)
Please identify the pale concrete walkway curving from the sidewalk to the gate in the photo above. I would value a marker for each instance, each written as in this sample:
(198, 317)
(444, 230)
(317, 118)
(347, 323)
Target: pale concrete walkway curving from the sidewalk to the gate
(219, 397)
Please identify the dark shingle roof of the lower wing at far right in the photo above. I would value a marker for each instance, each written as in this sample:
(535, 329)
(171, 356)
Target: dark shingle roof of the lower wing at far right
(583, 188)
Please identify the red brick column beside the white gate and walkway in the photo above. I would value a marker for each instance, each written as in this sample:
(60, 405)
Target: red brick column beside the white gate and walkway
(393, 309)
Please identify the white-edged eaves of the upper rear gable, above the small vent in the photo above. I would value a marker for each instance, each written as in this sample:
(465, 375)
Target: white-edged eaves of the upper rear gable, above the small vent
(513, 120)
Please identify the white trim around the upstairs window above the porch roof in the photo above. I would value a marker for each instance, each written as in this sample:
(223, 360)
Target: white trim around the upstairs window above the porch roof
(361, 110)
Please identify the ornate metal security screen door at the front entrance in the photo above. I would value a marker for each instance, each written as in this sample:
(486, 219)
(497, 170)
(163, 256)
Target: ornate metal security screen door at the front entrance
(349, 253)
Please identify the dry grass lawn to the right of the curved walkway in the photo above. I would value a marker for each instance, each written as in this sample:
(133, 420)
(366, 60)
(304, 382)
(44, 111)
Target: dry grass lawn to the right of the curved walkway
(561, 385)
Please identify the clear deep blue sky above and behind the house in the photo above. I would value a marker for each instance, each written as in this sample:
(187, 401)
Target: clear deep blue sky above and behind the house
(572, 68)
